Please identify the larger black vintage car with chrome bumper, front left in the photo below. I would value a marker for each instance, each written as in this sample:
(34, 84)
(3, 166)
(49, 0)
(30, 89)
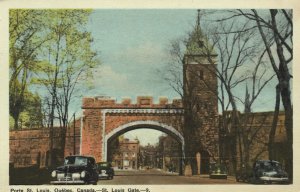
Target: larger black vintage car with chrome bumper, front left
(76, 170)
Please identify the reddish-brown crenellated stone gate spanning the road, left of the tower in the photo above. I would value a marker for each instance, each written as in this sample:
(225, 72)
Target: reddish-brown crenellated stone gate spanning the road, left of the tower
(104, 118)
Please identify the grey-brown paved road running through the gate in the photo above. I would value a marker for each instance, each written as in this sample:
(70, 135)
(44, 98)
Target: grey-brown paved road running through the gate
(156, 177)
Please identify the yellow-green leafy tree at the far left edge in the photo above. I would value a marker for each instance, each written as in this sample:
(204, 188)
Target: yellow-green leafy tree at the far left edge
(25, 40)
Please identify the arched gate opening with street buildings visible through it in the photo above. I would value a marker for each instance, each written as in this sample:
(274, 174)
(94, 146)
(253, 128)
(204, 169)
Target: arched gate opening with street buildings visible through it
(142, 147)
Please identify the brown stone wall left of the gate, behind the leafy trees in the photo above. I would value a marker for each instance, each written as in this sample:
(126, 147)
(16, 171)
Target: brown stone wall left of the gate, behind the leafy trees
(30, 147)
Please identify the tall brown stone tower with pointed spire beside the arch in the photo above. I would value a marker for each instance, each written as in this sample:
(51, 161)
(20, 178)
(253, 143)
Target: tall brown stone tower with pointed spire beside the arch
(200, 100)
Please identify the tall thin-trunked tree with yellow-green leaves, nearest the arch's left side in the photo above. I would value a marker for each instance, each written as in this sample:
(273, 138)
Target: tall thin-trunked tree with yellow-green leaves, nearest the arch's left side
(67, 60)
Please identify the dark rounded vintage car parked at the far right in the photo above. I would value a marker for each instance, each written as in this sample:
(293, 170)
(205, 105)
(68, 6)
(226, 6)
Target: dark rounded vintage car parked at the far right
(269, 171)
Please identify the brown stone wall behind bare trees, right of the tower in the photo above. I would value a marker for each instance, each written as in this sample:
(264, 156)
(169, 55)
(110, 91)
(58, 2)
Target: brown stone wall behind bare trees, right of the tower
(256, 128)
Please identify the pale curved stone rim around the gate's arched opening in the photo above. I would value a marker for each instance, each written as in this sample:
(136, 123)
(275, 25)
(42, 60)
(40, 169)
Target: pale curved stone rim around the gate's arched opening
(144, 124)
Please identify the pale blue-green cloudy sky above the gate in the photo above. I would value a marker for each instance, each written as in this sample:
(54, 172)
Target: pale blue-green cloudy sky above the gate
(133, 47)
